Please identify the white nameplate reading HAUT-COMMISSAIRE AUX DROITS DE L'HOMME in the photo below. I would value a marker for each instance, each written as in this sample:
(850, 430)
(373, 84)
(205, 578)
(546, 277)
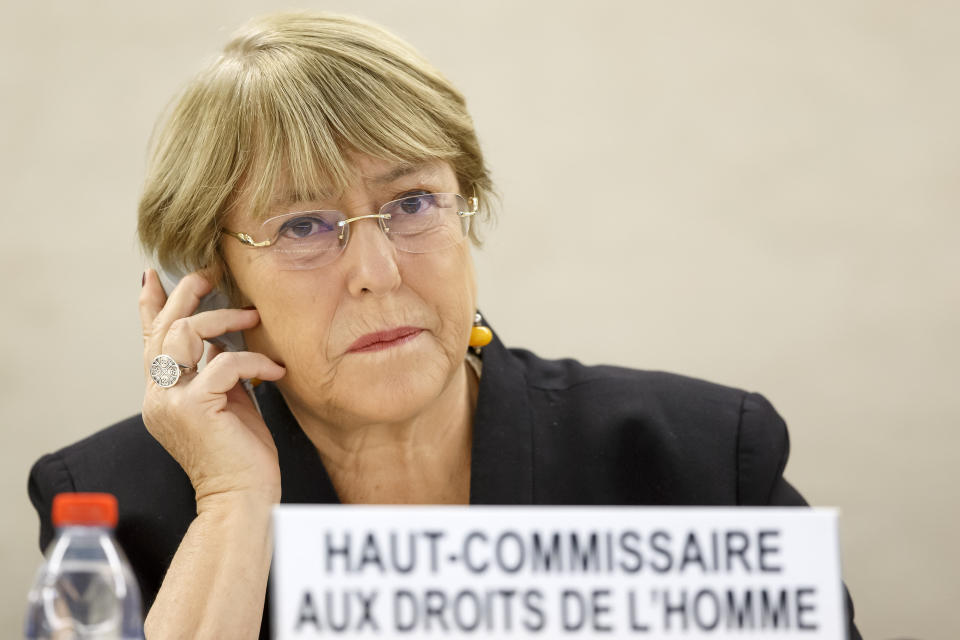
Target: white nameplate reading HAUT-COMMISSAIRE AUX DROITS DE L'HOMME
(555, 572)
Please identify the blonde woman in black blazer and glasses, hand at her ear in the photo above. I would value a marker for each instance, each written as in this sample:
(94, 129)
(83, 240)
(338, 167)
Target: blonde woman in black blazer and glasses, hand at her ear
(324, 179)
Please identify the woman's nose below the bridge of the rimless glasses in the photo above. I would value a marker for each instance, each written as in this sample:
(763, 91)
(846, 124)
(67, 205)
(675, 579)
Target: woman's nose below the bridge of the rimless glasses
(370, 259)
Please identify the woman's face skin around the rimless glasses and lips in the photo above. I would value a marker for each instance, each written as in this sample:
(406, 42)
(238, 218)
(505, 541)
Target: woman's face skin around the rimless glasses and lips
(311, 320)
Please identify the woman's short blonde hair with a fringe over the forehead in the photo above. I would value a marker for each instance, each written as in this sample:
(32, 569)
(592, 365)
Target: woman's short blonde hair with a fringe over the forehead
(289, 98)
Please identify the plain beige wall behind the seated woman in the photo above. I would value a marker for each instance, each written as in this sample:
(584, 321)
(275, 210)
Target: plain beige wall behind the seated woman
(759, 193)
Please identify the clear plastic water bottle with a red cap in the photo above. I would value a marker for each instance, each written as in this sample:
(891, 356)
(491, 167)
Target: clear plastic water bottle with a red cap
(85, 590)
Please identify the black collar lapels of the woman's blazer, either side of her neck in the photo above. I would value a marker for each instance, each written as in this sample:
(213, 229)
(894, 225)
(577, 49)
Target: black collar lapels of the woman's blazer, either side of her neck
(501, 467)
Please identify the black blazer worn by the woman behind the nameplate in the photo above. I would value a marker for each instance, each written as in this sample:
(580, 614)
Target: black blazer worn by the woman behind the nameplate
(550, 432)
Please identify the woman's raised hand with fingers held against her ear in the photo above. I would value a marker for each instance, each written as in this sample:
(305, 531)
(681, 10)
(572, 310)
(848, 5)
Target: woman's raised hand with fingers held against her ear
(206, 421)
